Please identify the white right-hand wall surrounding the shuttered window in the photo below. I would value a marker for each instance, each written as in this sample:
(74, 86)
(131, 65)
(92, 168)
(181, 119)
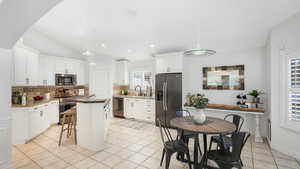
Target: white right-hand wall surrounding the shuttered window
(285, 37)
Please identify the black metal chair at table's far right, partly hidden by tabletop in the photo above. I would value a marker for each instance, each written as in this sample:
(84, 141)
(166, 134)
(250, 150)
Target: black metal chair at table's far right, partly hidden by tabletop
(224, 141)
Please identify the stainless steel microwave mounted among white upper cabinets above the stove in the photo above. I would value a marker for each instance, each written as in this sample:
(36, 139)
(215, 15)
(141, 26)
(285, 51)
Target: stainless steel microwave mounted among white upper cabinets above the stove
(65, 80)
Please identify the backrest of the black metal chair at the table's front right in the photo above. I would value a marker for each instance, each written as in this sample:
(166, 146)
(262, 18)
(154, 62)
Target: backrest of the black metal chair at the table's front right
(238, 141)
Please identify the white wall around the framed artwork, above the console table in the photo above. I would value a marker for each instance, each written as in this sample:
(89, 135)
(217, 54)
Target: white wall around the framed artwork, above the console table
(254, 73)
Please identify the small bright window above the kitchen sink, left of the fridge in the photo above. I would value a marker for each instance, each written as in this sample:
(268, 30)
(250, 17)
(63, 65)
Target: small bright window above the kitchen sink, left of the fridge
(141, 78)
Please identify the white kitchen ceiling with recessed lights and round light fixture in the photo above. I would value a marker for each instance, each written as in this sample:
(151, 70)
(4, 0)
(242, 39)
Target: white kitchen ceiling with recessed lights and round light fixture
(172, 25)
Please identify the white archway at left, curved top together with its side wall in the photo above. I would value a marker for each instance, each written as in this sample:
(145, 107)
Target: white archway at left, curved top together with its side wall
(16, 17)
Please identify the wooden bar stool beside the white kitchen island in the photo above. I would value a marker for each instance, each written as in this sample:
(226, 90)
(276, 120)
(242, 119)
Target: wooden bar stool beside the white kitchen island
(69, 119)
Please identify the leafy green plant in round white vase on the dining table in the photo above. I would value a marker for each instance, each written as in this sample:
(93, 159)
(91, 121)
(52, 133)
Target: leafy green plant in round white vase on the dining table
(199, 102)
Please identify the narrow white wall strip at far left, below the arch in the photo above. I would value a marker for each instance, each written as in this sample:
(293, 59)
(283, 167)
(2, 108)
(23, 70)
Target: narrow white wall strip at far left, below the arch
(5, 113)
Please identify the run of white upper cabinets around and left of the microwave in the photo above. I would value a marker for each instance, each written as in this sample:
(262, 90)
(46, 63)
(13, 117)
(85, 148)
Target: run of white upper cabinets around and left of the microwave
(31, 68)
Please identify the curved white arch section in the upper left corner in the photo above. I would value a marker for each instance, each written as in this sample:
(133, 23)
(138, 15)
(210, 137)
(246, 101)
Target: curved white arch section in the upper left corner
(17, 16)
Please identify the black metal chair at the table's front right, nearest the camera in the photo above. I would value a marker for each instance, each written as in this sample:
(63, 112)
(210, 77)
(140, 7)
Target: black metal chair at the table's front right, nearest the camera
(227, 159)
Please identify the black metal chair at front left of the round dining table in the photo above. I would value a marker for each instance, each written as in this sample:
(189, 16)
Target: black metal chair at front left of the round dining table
(172, 146)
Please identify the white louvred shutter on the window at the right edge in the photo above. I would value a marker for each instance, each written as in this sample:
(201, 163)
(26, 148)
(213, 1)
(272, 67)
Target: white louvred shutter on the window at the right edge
(294, 90)
